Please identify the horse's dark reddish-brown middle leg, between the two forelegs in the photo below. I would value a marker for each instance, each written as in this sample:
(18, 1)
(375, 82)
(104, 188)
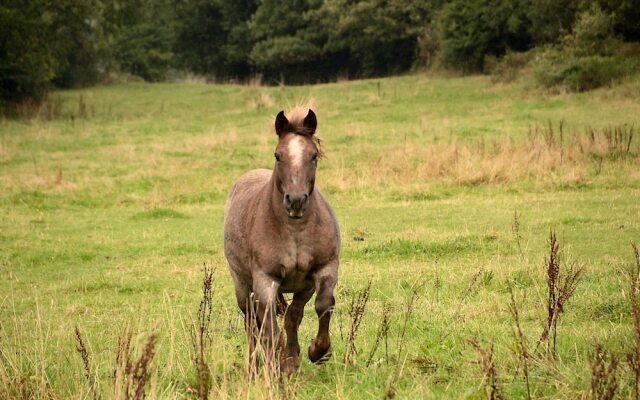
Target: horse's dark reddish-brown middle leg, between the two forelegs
(290, 360)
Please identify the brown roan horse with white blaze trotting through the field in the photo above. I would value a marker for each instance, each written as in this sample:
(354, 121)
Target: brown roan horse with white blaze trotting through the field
(282, 236)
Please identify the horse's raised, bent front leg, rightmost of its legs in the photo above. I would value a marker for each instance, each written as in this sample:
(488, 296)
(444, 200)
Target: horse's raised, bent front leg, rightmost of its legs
(325, 281)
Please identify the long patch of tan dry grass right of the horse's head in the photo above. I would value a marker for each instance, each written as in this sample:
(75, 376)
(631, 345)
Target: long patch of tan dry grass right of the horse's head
(542, 157)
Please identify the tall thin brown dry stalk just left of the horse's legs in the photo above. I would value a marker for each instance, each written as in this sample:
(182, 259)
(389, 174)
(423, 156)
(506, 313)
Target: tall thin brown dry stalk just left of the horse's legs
(201, 335)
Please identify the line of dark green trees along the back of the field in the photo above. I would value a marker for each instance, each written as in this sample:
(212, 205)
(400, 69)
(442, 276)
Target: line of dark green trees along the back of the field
(70, 43)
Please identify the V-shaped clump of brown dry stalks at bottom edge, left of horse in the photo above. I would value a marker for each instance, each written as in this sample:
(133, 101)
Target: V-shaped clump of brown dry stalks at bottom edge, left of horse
(132, 376)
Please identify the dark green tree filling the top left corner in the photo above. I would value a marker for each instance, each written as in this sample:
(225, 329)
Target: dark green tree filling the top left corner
(42, 40)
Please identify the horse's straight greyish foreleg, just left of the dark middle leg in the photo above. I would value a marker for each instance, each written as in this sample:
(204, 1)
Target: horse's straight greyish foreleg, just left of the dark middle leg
(265, 290)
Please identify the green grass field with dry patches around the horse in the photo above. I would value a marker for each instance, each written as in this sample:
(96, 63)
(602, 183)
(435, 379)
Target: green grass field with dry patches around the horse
(446, 191)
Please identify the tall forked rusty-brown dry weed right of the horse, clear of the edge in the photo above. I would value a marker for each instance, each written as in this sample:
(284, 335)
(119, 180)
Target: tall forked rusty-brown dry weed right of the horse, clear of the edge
(561, 287)
